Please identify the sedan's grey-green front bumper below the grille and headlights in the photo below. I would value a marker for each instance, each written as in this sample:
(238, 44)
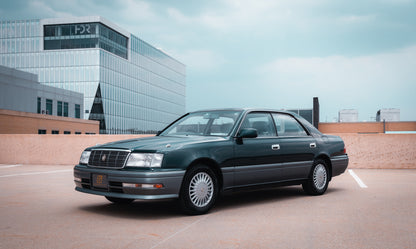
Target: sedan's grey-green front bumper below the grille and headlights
(112, 186)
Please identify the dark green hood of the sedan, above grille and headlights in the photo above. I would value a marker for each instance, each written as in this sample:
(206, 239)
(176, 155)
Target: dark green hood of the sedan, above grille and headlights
(157, 143)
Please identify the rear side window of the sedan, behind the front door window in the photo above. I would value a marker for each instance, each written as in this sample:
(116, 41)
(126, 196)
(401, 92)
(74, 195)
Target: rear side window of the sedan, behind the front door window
(287, 126)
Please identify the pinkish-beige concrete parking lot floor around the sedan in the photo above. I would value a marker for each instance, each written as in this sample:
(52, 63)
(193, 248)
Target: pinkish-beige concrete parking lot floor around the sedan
(39, 208)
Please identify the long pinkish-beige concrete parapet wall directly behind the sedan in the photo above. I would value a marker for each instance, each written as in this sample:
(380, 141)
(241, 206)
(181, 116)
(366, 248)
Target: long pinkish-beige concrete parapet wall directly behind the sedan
(391, 151)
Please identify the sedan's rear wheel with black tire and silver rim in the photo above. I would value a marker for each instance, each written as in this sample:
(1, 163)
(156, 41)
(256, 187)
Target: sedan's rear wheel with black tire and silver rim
(318, 179)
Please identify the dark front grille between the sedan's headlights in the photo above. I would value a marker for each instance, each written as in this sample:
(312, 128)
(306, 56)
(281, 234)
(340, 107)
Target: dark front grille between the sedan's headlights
(114, 159)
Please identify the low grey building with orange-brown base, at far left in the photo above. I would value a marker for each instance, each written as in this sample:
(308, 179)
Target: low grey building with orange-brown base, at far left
(27, 107)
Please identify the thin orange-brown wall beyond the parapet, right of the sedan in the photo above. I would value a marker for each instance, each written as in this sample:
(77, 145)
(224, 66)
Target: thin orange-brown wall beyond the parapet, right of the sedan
(366, 127)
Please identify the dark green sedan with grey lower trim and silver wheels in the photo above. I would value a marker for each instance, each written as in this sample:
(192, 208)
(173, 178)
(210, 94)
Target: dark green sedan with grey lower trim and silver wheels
(207, 152)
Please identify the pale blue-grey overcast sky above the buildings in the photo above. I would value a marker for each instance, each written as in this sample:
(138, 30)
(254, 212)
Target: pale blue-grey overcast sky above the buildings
(271, 53)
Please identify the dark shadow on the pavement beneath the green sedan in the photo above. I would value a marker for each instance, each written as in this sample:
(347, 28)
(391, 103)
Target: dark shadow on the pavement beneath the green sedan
(162, 209)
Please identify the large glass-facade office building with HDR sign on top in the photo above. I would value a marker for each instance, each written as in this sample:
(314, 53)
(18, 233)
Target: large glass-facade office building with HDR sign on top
(128, 85)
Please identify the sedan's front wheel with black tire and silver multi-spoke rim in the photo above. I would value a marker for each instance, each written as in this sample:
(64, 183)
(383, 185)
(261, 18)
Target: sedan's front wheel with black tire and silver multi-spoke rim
(199, 190)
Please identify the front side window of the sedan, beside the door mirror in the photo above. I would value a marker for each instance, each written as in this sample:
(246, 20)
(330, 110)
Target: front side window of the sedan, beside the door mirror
(262, 122)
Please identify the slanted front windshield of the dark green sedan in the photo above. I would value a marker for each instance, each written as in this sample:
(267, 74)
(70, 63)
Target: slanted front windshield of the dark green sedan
(208, 123)
